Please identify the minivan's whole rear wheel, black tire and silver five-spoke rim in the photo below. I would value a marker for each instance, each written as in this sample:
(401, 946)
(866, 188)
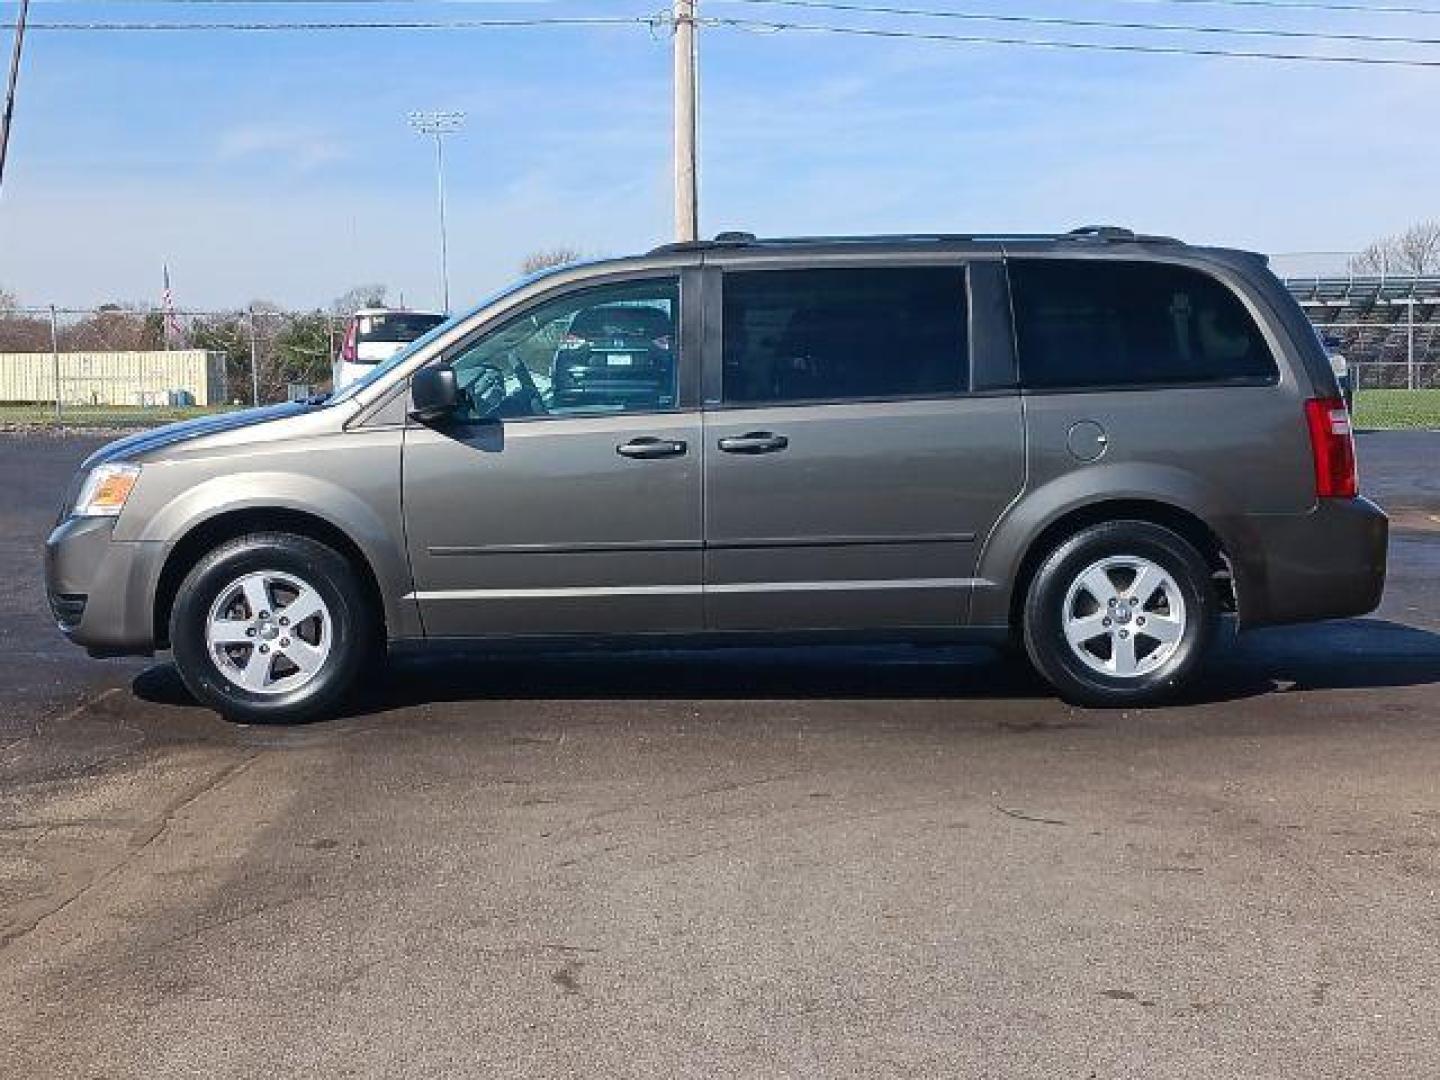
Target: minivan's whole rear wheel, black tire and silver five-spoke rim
(1121, 614)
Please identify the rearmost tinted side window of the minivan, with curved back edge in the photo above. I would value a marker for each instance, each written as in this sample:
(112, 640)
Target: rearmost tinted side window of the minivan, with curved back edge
(1091, 323)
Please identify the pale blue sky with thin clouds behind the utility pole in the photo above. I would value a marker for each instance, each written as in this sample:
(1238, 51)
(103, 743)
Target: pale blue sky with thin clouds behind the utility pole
(280, 166)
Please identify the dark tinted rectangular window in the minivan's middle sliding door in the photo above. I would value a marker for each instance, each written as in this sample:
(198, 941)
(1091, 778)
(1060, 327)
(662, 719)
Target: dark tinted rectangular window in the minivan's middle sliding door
(845, 335)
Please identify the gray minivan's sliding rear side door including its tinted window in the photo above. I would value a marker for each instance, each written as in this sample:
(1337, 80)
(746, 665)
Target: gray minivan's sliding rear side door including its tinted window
(850, 472)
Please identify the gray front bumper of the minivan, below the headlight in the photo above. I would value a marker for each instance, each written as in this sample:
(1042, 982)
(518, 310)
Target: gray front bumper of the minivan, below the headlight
(102, 590)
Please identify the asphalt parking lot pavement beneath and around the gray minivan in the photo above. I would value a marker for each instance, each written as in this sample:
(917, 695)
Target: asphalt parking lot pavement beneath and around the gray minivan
(755, 863)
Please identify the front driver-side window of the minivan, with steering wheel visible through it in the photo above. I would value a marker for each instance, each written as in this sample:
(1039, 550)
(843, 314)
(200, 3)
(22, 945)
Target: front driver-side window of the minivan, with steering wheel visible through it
(601, 351)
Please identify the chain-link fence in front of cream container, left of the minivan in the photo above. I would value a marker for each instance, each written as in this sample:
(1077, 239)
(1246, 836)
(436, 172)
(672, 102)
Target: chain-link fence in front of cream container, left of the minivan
(129, 366)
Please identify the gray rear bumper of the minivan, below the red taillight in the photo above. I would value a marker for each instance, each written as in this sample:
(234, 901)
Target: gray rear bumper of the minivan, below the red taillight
(1326, 565)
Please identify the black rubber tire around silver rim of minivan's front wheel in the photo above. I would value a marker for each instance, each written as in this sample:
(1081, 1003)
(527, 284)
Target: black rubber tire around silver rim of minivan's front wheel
(354, 636)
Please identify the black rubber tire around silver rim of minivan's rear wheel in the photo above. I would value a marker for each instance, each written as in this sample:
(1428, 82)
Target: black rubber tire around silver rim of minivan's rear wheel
(1046, 601)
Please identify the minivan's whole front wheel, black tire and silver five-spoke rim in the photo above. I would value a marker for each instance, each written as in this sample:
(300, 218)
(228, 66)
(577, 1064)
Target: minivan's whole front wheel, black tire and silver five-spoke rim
(271, 629)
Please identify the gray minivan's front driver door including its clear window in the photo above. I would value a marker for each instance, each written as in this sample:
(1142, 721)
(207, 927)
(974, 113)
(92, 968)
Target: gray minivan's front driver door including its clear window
(564, 496)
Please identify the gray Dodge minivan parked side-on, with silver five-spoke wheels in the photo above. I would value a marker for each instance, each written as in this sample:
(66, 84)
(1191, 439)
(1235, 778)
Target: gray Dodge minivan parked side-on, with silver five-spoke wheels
(1091, 447)
